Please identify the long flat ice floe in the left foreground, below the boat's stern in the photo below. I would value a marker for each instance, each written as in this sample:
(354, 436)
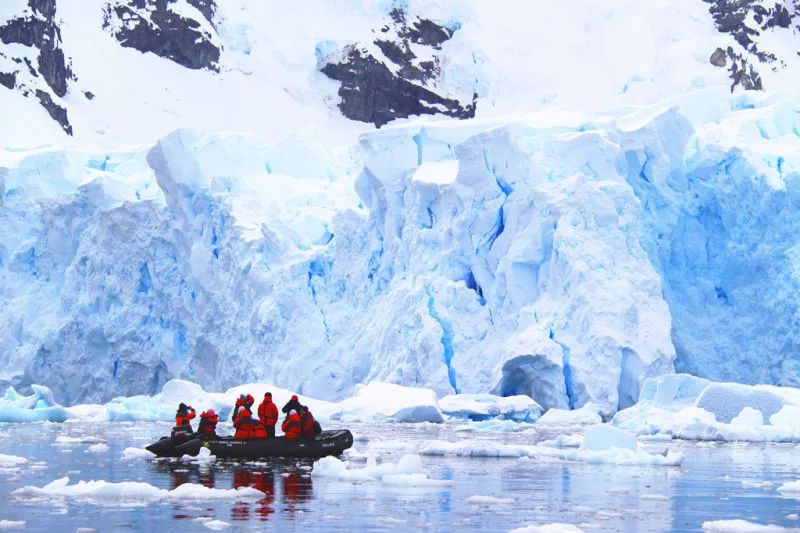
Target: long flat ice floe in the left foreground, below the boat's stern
(104, 492)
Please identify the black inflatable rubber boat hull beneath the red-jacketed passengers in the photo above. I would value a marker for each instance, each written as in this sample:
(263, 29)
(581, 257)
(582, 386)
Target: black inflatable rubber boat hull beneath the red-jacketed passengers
(326, 443)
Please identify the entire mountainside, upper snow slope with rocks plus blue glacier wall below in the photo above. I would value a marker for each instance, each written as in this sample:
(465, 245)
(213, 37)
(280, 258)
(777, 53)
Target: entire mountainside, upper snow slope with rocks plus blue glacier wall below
(583, 205)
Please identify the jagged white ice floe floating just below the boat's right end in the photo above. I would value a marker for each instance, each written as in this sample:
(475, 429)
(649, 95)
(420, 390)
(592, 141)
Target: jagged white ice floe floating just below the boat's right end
(408, 471)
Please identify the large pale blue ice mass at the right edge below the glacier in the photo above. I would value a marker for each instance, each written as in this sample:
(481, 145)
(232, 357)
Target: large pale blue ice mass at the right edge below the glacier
(687, 407)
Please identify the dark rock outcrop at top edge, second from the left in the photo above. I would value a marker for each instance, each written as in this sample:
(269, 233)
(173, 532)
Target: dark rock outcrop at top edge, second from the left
(167, 29)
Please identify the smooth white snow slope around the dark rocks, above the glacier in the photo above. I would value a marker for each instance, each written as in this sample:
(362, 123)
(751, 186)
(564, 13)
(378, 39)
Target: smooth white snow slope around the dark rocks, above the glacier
(523, 56)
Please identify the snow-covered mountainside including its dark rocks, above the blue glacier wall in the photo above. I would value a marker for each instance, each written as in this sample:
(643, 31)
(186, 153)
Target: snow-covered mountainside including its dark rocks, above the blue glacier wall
(116, 72)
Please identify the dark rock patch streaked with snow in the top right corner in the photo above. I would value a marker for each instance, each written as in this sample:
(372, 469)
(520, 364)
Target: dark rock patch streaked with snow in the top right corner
(746, 21)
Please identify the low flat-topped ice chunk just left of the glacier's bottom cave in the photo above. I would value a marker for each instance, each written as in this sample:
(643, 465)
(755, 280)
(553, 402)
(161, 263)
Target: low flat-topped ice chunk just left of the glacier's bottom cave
(481, 407)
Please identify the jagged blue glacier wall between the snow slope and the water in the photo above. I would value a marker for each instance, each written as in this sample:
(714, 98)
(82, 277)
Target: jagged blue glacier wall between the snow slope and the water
(560, 256)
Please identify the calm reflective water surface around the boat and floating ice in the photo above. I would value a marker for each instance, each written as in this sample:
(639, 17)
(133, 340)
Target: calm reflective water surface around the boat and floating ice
(595, 497)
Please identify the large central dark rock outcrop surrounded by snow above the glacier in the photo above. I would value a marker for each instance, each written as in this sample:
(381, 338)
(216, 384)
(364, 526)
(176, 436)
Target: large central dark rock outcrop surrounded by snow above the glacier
(386, 79)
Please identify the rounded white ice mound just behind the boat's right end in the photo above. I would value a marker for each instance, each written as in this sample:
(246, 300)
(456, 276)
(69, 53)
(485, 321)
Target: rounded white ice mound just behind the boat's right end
(386, 401)
